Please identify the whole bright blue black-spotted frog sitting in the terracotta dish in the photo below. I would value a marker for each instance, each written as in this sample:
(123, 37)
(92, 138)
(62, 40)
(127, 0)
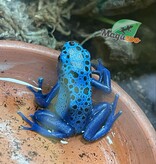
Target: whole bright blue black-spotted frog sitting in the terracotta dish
(74, 111)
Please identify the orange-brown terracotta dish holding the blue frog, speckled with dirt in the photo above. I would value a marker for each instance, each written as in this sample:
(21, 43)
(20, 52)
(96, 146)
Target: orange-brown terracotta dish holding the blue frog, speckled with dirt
(131, 140)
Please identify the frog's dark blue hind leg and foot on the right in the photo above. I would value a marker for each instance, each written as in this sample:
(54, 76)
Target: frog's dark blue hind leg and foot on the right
(102, 120)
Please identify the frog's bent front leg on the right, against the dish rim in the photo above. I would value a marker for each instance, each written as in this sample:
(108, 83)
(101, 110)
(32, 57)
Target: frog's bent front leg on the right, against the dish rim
(104, 82)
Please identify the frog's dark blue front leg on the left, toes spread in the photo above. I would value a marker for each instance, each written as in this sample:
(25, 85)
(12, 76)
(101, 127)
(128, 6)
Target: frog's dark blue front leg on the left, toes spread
(44, 100)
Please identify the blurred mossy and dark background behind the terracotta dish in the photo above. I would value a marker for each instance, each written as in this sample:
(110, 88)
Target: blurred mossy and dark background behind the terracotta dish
(52, 22)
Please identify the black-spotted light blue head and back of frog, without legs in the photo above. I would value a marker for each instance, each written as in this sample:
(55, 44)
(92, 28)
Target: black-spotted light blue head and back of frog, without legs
(74, 101)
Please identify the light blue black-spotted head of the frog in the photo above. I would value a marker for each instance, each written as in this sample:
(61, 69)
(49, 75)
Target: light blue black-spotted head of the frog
(73, 56)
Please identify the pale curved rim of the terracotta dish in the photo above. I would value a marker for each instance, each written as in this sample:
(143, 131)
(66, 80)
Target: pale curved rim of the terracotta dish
(139, 115)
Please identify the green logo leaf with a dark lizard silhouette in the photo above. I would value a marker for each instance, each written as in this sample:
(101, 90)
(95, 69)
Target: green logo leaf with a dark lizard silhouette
(126, 27)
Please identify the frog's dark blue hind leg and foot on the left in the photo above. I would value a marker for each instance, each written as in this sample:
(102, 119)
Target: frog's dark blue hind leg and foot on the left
(47, 124)
